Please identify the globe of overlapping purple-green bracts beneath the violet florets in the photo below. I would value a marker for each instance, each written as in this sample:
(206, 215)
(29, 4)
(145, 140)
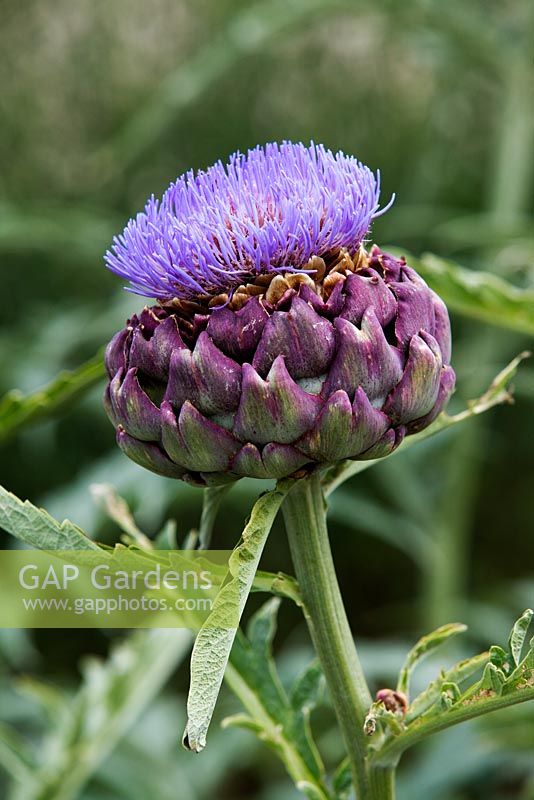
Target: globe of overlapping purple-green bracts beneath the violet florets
(302, 375)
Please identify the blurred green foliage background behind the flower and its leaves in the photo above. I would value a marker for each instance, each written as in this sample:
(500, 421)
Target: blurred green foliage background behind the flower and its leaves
(104, 102)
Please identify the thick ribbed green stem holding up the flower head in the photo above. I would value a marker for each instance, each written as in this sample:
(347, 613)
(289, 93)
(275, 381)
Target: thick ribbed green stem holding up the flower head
(305, 518)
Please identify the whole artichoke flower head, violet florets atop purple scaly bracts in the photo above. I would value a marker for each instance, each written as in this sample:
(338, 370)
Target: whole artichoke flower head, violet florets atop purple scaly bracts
(278, 342)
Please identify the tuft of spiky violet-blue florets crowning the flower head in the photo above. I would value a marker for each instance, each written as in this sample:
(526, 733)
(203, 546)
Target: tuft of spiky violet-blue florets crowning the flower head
(269, 210)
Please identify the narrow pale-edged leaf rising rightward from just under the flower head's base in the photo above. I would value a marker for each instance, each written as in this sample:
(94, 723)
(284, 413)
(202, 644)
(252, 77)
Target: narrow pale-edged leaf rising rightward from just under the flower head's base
(497, 394)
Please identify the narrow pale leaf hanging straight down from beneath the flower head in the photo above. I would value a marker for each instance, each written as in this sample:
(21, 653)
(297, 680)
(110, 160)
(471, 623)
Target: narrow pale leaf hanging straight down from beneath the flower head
(215, 639)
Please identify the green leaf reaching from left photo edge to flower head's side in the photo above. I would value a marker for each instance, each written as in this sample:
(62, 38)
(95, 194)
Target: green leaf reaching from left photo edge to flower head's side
(18, 410)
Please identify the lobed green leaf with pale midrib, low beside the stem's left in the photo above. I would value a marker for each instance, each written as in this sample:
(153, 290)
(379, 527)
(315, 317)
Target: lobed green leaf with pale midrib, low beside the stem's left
(282, 721)
